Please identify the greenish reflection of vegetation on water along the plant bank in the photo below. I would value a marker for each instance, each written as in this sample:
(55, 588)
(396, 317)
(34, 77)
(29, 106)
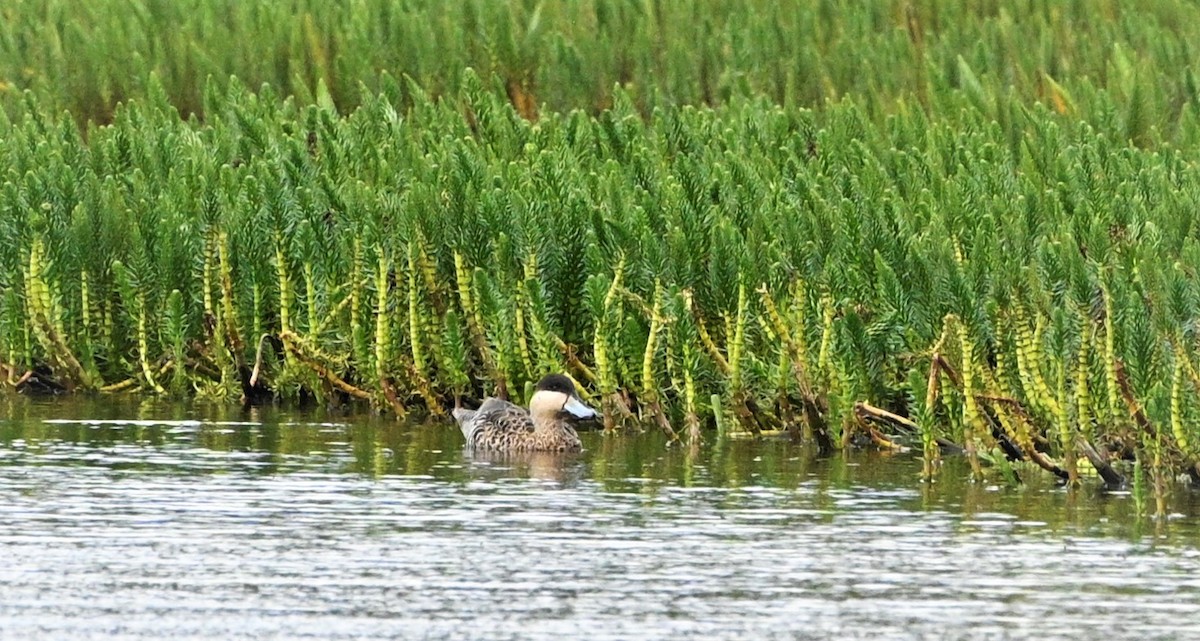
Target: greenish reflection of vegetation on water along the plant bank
(274, 442)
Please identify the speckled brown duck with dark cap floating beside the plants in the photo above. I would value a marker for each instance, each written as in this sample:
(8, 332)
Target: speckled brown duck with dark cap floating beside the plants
(547, 427)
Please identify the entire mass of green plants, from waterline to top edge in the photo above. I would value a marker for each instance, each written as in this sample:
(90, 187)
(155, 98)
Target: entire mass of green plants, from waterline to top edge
(995, 236)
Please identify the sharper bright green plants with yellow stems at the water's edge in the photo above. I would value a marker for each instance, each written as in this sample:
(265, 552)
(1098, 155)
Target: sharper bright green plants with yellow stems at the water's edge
(748, 267)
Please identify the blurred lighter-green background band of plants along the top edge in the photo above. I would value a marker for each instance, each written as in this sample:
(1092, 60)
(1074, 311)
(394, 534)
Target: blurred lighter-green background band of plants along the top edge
(87, 57)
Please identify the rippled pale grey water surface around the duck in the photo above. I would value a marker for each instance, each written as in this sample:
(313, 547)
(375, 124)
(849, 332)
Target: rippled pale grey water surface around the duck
(165, 523)
